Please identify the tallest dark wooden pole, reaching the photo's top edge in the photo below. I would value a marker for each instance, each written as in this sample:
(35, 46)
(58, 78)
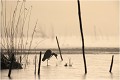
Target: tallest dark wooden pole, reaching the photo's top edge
(79, 13)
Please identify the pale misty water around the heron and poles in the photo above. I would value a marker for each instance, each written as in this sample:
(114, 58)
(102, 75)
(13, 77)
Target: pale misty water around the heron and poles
(98, 66)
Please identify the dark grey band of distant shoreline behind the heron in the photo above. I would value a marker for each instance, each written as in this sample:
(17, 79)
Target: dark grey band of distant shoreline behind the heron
(91, 50)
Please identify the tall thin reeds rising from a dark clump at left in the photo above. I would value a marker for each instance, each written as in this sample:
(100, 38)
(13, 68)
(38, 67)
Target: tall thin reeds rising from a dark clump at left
(14, 38)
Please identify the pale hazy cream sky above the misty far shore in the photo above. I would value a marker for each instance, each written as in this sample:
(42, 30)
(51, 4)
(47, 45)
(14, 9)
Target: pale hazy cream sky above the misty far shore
(100, 21)
